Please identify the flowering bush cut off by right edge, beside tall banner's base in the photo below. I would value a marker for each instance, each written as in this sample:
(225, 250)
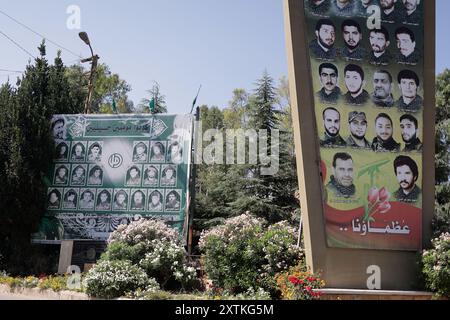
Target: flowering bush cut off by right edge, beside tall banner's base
(436, 266)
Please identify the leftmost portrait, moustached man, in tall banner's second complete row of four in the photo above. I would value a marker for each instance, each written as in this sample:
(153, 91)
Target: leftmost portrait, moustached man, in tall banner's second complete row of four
(330, 92)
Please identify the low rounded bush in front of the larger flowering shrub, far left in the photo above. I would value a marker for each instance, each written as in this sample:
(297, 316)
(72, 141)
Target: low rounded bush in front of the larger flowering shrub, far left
(113, 279)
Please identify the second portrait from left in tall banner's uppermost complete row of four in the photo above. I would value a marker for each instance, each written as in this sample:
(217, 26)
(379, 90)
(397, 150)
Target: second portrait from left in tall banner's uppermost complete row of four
(352, 35)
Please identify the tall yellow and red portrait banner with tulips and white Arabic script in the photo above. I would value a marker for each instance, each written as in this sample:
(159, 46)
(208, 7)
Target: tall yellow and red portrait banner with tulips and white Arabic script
(367, 71)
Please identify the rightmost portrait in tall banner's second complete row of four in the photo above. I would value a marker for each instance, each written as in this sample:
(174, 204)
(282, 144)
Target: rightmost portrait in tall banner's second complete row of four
(409, 83)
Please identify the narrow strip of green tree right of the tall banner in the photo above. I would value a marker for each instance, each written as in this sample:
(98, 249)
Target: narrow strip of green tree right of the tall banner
(442, 204)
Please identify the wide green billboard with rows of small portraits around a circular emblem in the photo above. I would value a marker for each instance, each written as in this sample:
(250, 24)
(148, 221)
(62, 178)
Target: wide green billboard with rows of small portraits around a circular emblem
(112, 170)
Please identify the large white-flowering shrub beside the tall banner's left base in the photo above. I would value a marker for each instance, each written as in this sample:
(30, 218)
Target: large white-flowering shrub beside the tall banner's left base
(244, 254)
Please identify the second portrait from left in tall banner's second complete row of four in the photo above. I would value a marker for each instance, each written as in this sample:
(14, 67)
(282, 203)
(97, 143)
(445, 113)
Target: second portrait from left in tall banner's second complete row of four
(354, 81)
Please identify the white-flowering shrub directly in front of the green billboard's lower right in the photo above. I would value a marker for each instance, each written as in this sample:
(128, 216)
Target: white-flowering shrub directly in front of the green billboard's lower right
(154, 247)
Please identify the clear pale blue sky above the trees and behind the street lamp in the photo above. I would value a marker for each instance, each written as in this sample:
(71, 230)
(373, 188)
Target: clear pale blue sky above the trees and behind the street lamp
(222, 45)
